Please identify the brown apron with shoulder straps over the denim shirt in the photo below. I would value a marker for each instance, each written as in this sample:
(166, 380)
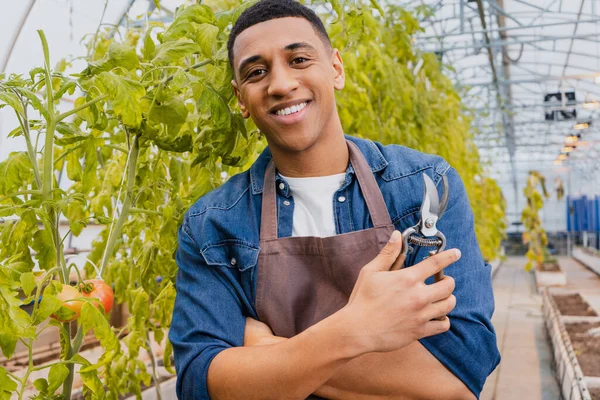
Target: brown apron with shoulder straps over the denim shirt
(302, 280)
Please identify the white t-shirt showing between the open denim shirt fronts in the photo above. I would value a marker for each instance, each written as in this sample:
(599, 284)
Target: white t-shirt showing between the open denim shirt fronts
(313, 204)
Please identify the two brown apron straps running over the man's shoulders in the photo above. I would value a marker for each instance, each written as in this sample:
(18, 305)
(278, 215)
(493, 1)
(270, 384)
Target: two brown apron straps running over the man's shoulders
(366, 179)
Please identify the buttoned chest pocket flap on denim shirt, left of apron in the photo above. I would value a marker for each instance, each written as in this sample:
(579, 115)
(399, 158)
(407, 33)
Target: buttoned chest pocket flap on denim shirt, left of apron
(231, 255)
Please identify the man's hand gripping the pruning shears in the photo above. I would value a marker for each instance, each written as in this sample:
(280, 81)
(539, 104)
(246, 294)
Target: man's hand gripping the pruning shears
(390, 308)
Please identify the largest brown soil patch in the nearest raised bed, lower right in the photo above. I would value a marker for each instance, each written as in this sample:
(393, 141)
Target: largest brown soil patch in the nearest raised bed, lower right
(586, 347)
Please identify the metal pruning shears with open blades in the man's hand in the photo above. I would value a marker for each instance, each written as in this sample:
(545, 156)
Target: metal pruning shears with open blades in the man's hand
(425, 232)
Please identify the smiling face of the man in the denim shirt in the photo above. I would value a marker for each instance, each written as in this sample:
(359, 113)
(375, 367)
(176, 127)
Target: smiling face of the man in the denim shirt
(285, 78)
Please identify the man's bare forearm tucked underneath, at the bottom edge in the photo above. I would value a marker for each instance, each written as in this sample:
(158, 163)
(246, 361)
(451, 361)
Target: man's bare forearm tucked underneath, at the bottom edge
(409, 373)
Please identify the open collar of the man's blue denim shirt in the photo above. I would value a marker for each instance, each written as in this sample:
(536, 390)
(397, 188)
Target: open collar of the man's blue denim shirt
(372, 154)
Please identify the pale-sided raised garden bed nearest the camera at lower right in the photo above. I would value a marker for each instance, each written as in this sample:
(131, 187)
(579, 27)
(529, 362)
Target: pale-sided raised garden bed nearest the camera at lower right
(577, 376)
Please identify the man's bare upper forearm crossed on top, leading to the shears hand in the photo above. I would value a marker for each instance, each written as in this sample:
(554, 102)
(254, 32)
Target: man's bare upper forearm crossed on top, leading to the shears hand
(291, 369)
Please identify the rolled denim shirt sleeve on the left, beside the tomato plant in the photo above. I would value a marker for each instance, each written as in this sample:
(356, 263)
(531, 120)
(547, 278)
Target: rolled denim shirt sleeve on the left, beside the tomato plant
(207, 318)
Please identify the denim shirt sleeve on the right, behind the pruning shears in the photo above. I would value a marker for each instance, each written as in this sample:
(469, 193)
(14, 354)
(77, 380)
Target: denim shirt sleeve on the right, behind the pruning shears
(469, 348)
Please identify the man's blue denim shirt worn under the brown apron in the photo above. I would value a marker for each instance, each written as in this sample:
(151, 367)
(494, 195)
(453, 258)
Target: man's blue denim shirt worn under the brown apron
(219, 246)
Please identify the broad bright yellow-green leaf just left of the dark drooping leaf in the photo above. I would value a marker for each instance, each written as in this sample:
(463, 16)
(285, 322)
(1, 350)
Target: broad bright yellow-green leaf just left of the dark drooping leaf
(125, 95)
